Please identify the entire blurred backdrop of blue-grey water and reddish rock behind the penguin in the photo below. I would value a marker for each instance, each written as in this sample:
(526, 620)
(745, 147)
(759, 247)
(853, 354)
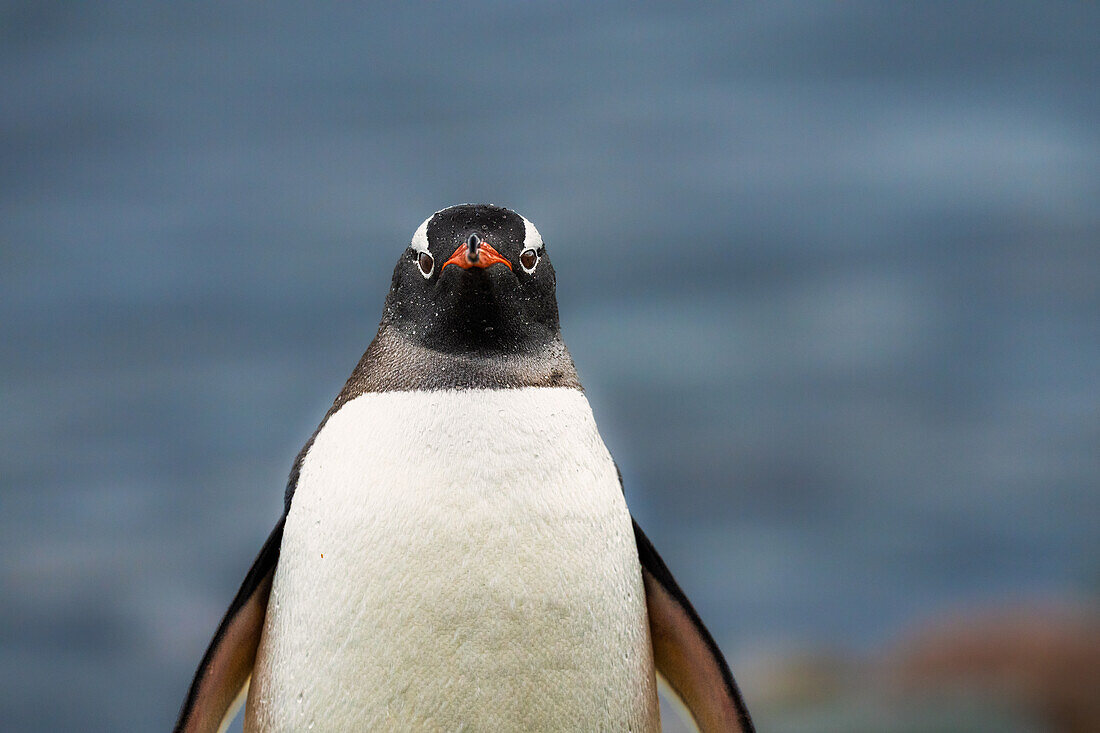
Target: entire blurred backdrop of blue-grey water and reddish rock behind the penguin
(830, 275)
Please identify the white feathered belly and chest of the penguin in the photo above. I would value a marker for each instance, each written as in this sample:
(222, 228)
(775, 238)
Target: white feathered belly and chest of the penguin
(457, 561)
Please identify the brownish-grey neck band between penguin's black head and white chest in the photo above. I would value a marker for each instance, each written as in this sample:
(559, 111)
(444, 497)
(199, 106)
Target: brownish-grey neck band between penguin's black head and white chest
(394, 363)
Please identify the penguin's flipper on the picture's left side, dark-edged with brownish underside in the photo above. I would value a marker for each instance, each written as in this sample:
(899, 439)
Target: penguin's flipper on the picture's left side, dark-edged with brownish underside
(224, 674)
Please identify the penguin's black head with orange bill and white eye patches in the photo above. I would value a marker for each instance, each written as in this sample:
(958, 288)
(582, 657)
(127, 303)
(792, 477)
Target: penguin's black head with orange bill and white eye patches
(476, 278)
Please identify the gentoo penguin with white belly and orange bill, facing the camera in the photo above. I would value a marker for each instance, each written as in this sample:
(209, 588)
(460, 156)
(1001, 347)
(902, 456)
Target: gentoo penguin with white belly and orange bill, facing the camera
(456, 552)
